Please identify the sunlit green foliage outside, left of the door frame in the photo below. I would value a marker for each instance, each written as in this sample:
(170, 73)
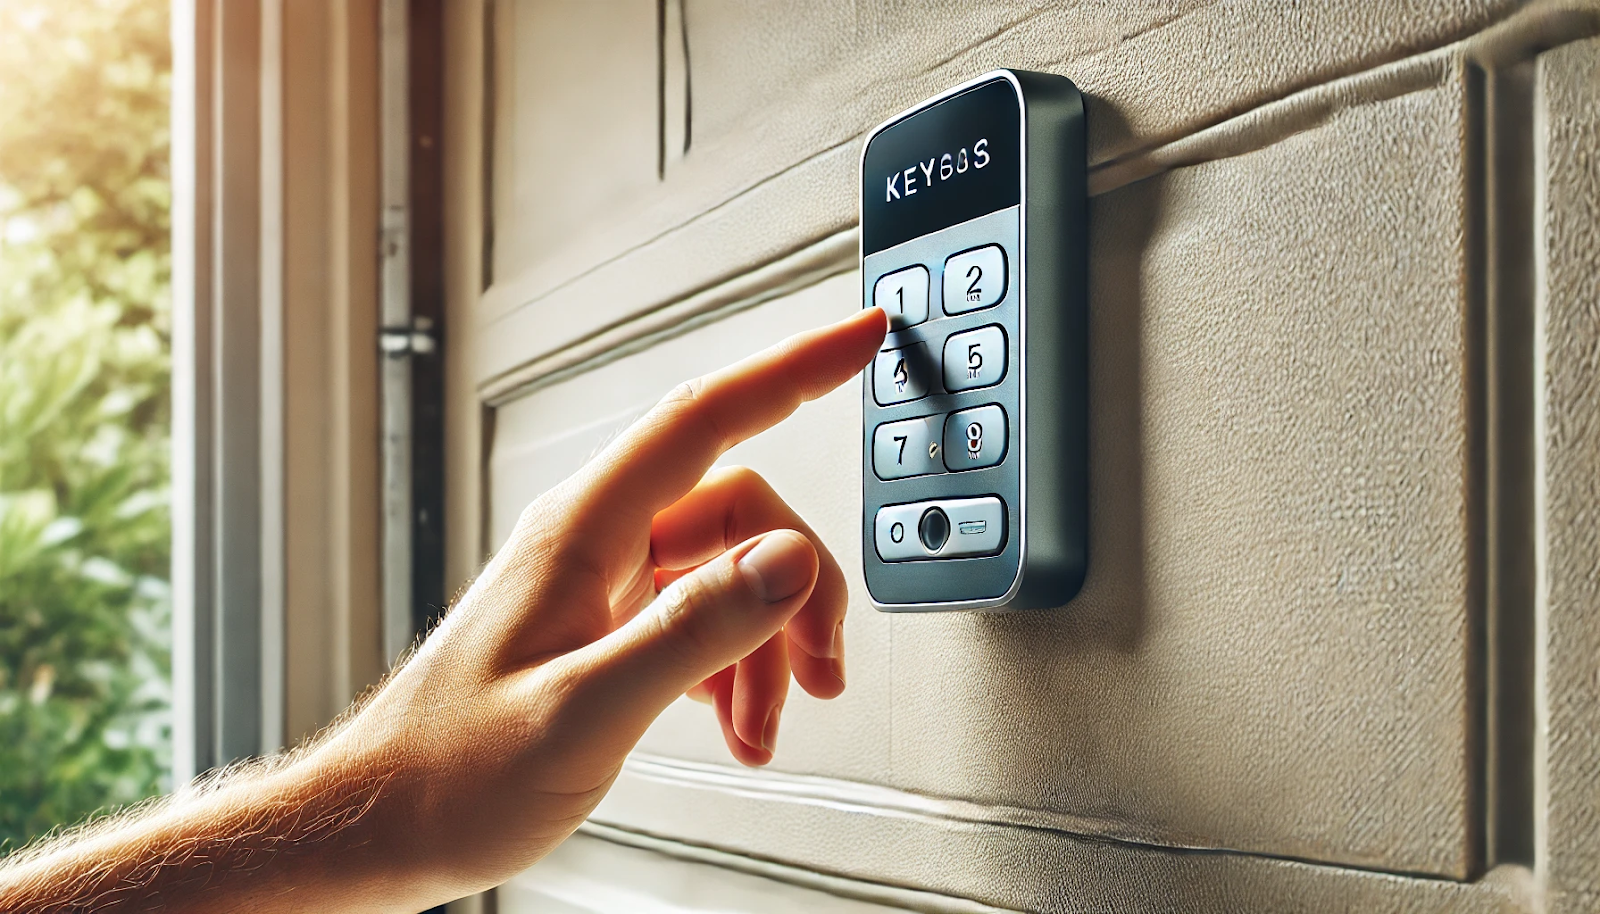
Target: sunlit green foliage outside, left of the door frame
(84, 409)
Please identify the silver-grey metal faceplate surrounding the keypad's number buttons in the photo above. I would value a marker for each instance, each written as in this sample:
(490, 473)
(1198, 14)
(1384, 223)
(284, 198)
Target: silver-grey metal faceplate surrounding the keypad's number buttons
(967, 579)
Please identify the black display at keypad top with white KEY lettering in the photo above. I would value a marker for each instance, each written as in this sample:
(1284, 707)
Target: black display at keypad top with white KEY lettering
(942, 167)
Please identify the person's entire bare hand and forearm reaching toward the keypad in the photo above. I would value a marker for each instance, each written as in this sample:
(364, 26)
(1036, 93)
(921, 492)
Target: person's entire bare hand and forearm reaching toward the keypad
(641, 579)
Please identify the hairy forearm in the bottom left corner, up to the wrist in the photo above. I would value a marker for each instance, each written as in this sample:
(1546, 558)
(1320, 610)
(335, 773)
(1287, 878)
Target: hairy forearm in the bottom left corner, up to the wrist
(298, 838)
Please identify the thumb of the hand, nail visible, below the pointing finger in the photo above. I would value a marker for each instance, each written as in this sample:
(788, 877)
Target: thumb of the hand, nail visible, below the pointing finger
(703, 623)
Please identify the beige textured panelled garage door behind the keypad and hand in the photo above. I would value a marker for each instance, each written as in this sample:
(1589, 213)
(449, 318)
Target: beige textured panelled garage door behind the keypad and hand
(1284, 652)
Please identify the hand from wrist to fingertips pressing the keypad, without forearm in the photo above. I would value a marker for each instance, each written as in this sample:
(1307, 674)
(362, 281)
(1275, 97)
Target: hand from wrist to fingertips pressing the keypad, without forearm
(514, 718)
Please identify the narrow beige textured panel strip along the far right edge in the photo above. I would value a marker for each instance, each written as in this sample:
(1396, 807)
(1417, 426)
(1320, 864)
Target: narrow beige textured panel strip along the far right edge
(1570, 454)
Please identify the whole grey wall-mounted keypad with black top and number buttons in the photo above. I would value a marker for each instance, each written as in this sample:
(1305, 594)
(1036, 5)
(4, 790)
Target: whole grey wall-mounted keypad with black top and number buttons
(993, 510)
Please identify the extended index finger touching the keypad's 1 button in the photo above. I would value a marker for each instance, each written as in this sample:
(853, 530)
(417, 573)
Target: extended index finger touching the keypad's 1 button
(665, 454)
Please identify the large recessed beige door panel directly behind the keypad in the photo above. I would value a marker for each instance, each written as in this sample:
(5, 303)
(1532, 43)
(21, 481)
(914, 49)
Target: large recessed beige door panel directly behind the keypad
(1270, 654)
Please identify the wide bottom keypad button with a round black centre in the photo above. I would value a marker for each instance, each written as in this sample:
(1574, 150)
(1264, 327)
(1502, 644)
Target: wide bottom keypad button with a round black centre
(946, 529)
